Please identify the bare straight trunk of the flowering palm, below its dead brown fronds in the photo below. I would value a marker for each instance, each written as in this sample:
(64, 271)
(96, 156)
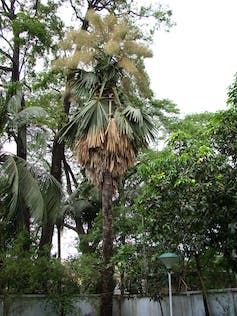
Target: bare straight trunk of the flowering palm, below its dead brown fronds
(107, 250)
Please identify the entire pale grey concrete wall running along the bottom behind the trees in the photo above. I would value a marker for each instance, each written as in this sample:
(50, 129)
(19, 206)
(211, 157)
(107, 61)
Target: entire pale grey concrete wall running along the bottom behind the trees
(223, 303)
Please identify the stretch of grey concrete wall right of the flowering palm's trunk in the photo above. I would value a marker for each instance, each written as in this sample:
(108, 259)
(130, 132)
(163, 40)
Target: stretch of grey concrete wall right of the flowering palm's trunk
(223, 303)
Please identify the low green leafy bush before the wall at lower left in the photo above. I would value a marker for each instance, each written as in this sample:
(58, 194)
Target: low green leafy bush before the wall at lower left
(24, 272)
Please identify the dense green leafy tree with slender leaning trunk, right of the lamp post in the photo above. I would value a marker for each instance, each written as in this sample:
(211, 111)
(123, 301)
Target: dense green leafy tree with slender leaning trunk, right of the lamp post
(189, 198)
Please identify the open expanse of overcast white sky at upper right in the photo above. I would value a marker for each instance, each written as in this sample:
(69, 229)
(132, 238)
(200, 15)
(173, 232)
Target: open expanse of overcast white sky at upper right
(195, 62)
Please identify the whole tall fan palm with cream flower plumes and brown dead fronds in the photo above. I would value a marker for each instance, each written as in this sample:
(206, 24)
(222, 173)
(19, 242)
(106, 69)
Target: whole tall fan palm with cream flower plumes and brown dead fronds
(110, 124)
